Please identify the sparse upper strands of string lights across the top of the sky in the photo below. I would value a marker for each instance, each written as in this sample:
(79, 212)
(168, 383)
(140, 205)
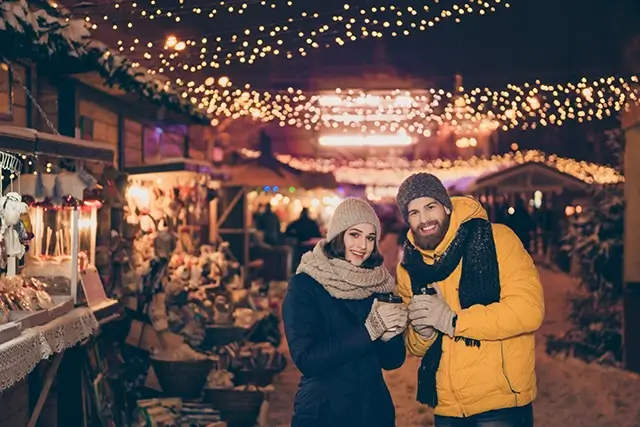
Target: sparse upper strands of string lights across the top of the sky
(295, 35)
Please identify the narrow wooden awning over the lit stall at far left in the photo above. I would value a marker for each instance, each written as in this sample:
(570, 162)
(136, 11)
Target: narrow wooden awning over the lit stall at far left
(30, 141)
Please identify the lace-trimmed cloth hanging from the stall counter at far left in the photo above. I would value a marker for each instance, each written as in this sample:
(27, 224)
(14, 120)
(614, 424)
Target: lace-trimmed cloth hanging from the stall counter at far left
(20, 356)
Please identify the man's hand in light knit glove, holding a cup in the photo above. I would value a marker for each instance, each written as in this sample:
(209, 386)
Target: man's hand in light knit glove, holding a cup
(431, 311)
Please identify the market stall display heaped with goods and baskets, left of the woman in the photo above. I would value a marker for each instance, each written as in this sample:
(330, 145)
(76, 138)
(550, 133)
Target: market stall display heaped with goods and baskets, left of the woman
(199, 327)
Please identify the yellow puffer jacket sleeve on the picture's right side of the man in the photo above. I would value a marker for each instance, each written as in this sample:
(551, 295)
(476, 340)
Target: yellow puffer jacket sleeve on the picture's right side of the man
(521, 306)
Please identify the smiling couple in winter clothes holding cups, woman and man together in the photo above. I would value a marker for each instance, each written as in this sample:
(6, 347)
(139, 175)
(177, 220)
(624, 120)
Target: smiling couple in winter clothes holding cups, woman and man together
(471, 302)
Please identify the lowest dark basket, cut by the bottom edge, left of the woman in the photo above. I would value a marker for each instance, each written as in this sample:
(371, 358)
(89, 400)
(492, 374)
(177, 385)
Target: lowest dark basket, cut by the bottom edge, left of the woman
(239, 408)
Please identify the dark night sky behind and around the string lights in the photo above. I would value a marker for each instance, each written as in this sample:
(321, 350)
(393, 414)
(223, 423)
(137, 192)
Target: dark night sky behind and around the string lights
(555, 41)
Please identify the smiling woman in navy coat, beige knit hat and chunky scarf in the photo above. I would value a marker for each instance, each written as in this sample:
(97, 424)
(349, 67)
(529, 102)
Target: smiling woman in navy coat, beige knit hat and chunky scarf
(340, 336)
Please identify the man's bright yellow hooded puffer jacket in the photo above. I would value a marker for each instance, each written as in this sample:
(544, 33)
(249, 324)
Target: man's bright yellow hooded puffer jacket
(501, 373)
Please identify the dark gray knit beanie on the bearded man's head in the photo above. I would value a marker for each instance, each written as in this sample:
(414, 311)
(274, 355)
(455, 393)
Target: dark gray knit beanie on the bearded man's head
(421, 185)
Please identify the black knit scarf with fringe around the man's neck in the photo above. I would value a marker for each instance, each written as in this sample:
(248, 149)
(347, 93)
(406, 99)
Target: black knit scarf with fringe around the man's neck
(479, 284)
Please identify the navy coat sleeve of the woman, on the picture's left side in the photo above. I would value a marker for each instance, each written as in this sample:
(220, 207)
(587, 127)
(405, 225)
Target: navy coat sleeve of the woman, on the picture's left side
(312, 349)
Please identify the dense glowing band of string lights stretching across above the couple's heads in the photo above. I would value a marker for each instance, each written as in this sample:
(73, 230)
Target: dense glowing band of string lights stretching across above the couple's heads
(481, 110)
